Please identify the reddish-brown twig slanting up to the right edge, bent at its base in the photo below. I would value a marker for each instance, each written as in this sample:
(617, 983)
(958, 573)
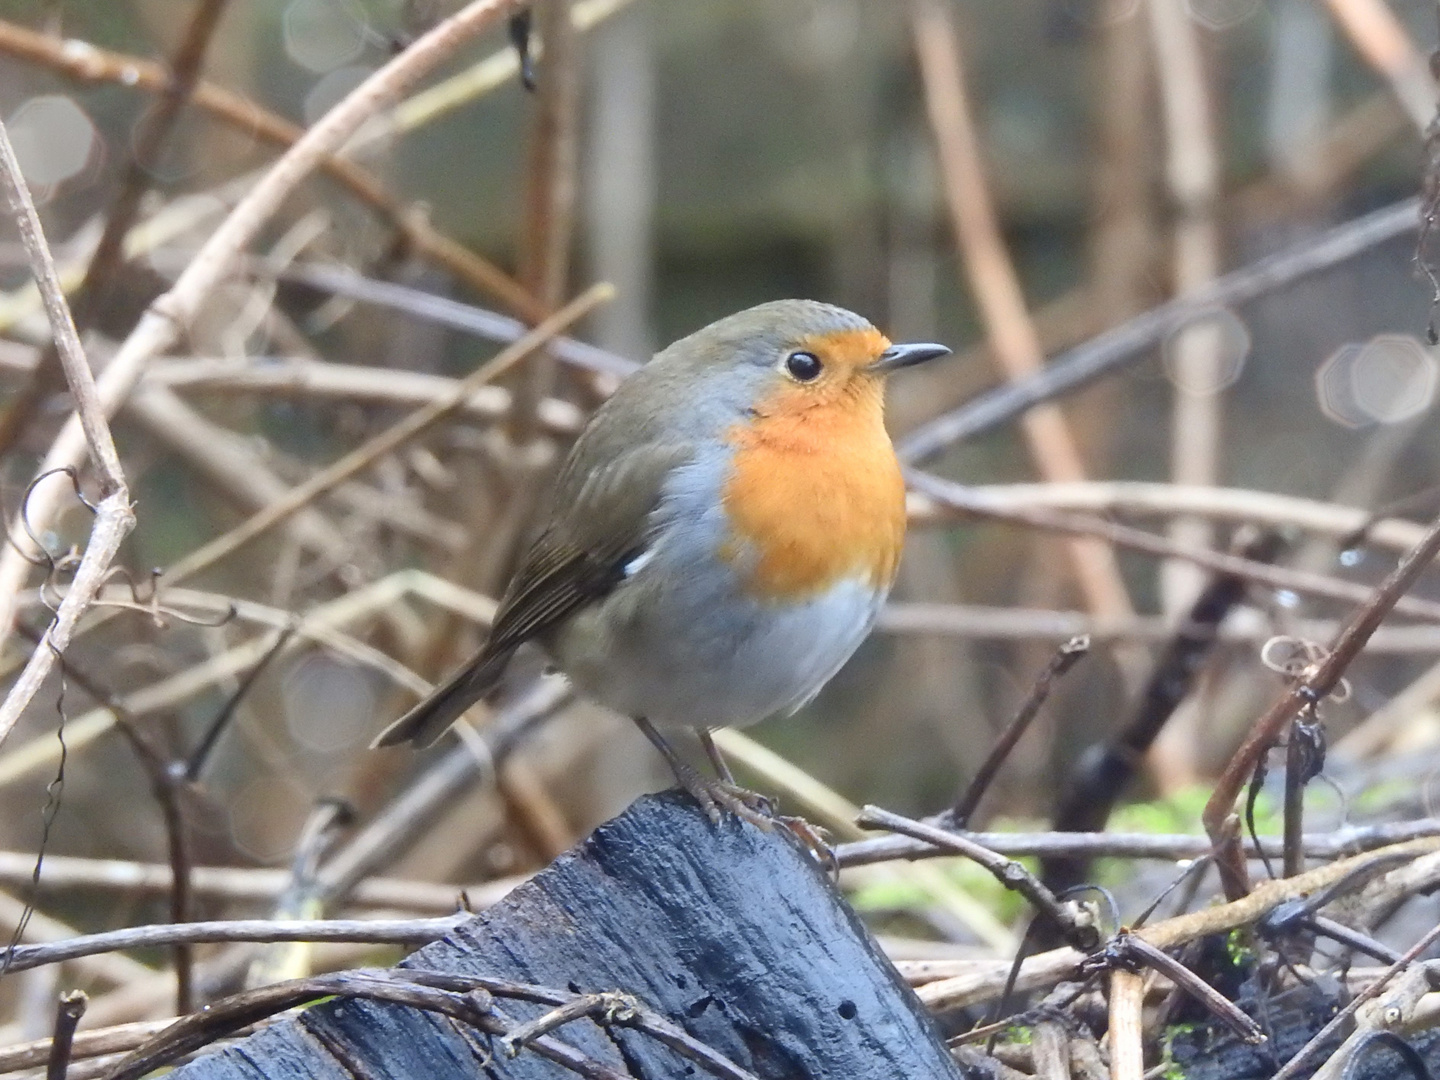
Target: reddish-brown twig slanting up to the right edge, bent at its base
(1314, 688)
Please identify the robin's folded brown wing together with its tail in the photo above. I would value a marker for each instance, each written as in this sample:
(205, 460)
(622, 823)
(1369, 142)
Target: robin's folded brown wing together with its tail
(597, 526)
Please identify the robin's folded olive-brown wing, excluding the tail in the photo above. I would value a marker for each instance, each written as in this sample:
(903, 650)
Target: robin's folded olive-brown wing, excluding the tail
(600, 523)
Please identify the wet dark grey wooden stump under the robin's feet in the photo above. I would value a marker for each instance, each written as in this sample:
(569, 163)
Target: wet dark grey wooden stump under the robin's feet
(734, 934)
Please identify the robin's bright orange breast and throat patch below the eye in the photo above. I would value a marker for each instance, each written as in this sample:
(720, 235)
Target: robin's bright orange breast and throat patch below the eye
(816, 493)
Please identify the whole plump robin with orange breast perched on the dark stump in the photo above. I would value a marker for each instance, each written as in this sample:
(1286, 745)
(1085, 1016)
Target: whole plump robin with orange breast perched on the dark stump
(721, 536)
